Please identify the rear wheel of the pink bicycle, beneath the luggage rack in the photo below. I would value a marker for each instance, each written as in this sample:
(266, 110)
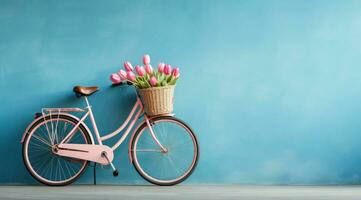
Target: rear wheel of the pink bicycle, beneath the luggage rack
(39, 159)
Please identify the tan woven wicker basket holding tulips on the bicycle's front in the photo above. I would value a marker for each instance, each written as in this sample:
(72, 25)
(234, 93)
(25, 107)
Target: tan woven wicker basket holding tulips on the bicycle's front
(157, 100)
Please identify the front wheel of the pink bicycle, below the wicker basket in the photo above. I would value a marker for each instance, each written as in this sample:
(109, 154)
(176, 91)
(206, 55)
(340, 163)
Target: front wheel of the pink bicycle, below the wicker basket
(174, 165)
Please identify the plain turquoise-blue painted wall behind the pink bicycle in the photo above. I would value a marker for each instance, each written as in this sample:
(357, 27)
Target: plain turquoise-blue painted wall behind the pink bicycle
(271, 87)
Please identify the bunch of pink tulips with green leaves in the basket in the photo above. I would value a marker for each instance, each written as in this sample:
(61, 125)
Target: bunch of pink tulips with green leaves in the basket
(145, 76)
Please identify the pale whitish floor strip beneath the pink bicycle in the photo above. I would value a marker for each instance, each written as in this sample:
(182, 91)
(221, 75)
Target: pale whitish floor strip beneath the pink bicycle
(181, 192)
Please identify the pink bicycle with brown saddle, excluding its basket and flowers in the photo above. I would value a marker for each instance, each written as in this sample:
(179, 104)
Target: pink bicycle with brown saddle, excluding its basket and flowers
(58, 146)
